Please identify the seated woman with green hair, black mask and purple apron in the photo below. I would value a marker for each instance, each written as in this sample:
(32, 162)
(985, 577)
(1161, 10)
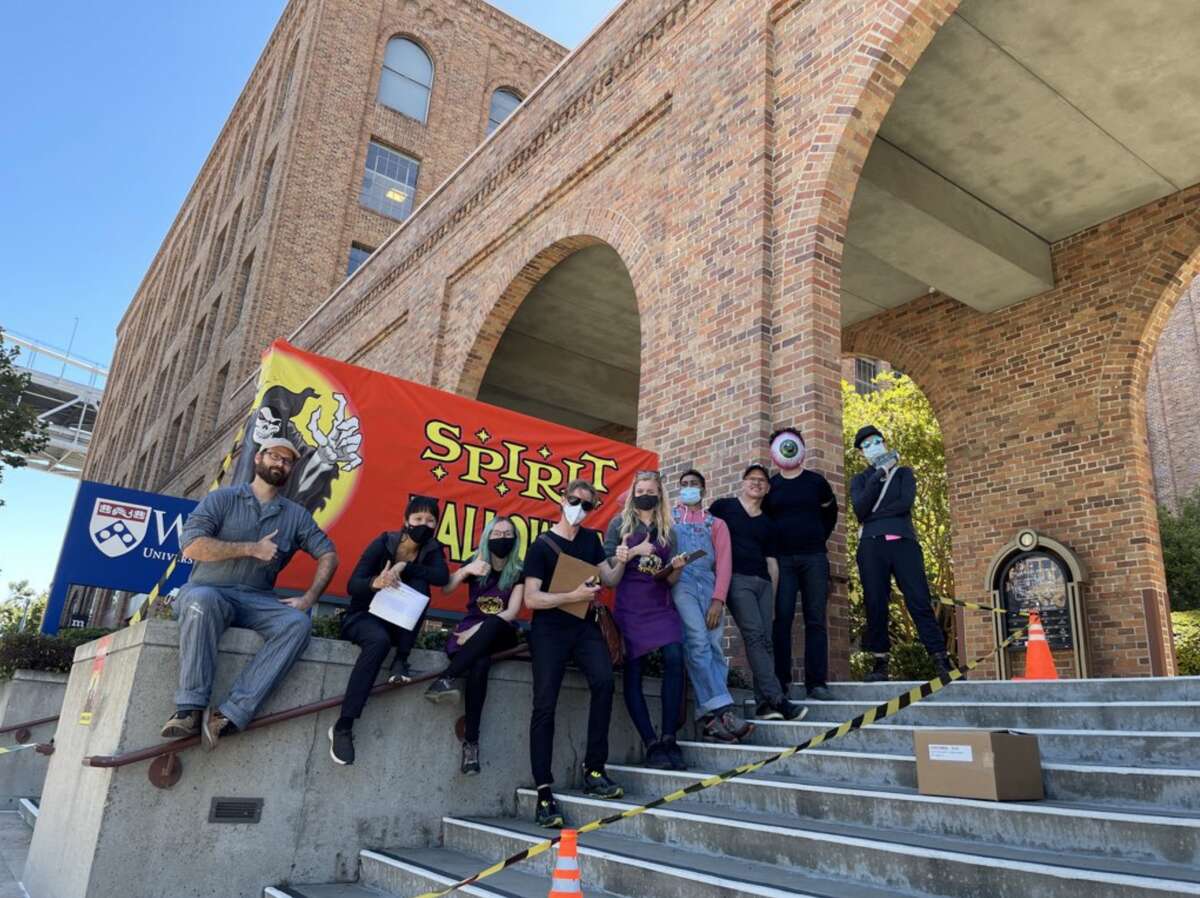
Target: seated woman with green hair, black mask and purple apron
(495, 590)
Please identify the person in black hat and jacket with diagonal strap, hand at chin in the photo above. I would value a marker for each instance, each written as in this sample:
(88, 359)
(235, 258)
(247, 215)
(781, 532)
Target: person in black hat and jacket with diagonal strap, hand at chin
(883, 498)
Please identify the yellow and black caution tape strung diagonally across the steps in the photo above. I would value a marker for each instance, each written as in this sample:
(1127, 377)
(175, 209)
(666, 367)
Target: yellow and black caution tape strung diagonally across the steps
(872, 716)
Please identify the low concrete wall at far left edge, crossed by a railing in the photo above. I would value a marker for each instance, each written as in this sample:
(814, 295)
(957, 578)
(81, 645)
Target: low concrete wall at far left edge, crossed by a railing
(29, 696)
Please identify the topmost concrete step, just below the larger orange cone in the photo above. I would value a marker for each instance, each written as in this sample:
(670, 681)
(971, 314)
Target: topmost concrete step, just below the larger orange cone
(1057, 691)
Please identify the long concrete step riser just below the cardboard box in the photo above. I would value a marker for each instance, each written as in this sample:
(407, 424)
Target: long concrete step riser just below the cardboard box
(1057, 827)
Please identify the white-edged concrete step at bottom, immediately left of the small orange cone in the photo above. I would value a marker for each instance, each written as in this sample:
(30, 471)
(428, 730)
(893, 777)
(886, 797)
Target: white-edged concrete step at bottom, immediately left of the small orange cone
(410, 872)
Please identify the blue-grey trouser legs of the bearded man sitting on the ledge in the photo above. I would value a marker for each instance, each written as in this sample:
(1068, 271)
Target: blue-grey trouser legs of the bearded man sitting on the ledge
(205, 614)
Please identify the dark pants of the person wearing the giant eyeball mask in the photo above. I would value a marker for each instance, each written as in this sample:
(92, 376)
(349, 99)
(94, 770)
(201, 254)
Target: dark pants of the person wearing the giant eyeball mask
(809, 577)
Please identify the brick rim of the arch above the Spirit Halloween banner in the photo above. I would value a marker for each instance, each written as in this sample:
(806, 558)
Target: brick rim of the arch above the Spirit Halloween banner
(530, 258)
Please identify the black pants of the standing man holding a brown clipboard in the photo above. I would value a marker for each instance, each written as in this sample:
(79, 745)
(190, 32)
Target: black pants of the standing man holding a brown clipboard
(557, 638)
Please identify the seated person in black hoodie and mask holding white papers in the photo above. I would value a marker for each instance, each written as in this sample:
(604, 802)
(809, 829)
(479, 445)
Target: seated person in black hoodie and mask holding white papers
(412, 556)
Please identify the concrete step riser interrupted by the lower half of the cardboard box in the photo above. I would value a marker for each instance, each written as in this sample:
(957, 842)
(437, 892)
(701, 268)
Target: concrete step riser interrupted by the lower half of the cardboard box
(1130, 788)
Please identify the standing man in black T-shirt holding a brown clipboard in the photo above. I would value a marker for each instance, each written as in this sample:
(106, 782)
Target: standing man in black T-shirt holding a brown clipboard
(565, 570)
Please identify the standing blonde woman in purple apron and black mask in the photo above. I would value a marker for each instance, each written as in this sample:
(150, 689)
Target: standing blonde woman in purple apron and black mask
(641, 543)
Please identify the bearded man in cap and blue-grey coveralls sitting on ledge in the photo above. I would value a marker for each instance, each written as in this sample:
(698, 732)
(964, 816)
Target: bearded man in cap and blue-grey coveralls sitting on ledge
(241, 538)
